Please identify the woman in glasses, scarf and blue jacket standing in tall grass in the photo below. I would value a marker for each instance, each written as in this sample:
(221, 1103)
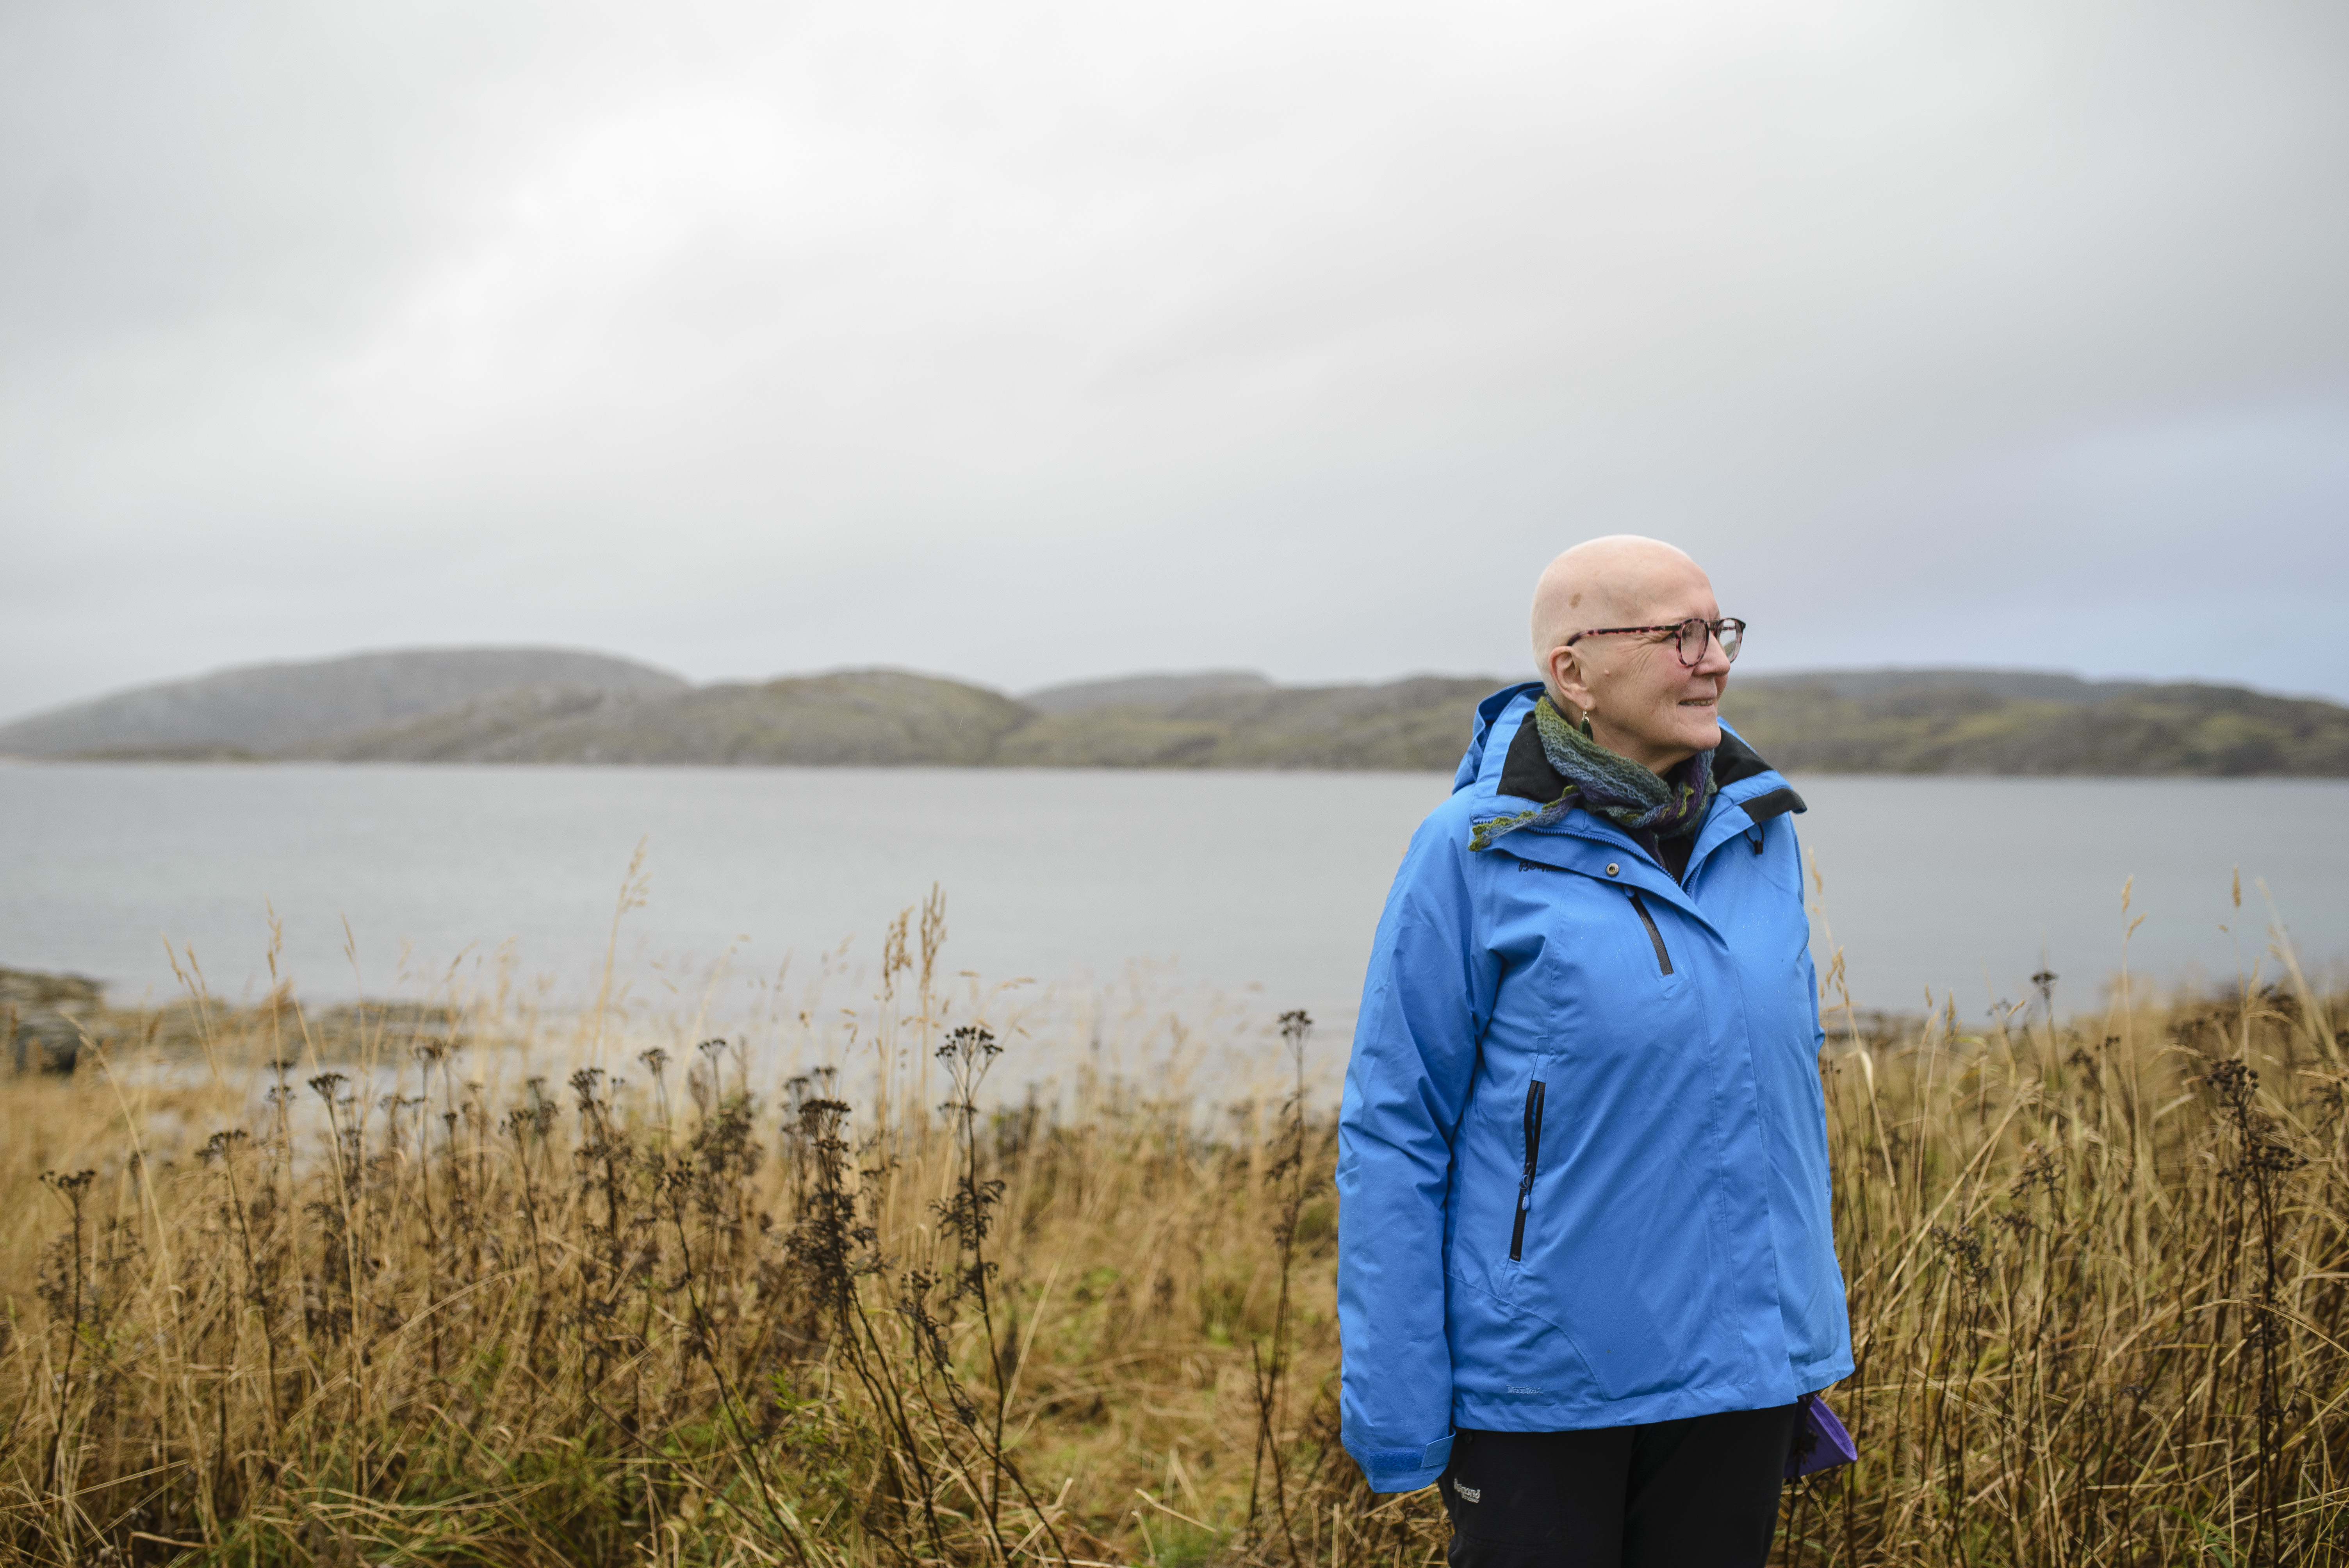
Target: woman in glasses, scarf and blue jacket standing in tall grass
(1587, 1271)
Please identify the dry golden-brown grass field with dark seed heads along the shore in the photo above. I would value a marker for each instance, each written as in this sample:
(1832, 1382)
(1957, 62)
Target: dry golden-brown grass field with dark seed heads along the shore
(509, 1290)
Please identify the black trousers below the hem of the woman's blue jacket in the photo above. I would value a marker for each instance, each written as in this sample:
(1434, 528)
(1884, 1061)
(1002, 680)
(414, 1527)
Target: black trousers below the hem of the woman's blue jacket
(1671, 1494)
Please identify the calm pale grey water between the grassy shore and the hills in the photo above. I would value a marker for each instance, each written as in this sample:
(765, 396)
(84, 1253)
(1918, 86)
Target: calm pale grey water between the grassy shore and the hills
(1263, 886)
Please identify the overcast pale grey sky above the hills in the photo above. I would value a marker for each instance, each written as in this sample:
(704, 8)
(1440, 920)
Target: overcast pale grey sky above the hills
(1044, 342)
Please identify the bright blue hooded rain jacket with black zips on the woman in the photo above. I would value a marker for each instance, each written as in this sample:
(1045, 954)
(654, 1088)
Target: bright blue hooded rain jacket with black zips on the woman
(1584, 1151)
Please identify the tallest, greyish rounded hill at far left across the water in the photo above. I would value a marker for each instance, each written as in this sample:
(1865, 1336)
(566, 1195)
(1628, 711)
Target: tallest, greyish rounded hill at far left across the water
(274, 708)
